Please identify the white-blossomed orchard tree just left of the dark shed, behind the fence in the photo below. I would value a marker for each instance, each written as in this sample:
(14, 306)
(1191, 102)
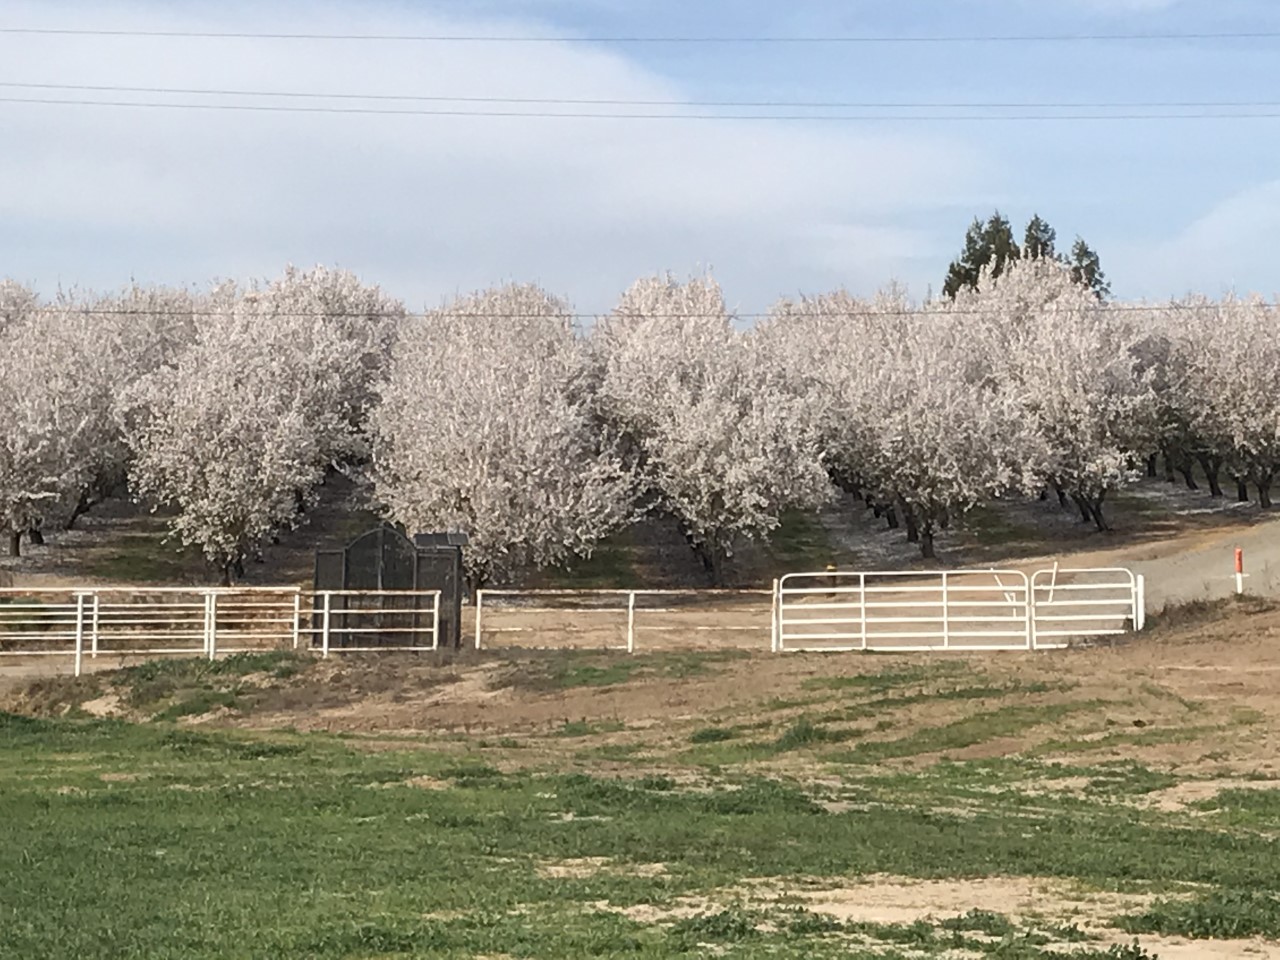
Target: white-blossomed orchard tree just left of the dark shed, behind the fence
(239, 432)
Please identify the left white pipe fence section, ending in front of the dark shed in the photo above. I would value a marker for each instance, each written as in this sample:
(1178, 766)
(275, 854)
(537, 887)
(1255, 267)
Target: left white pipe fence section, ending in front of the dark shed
(207, 623)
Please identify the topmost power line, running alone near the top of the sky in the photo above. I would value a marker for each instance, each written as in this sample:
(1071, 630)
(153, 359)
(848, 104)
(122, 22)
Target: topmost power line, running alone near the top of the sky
(757, 40)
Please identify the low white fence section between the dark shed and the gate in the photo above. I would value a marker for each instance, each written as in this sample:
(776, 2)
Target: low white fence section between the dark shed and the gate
(618, 620)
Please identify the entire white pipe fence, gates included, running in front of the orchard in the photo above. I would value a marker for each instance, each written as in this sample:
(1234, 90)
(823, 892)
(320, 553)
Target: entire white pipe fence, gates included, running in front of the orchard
(834, 611)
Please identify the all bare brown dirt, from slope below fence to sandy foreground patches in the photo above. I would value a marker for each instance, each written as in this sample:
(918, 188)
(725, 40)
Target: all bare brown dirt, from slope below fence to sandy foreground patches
(1199, 694)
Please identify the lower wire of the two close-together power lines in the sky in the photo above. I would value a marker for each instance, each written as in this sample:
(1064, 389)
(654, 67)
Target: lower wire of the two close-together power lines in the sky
(584, 116)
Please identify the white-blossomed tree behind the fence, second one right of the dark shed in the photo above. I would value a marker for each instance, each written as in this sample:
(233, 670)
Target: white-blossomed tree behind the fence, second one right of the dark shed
(710, 419)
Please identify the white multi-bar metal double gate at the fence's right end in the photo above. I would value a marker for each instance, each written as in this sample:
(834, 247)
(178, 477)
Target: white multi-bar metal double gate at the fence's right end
(970, 610)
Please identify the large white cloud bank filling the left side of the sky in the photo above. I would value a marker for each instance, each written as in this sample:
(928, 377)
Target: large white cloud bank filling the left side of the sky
(433, 205)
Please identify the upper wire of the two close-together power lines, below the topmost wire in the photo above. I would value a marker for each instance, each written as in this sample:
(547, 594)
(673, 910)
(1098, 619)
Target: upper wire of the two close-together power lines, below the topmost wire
(593, 102)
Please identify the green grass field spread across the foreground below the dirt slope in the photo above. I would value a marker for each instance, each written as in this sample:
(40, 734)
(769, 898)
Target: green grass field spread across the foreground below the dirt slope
(158, 839)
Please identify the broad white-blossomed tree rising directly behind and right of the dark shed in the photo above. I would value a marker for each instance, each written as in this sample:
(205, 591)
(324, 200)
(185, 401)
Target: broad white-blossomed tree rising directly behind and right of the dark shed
(484, 427)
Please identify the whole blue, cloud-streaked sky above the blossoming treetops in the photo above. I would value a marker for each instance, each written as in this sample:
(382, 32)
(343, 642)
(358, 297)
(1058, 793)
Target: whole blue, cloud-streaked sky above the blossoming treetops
(431, 207)
